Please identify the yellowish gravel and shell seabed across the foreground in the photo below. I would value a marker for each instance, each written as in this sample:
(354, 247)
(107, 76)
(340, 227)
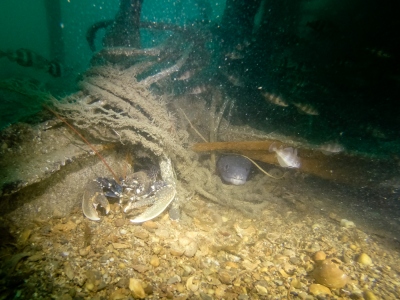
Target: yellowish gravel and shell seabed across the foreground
(211, 253)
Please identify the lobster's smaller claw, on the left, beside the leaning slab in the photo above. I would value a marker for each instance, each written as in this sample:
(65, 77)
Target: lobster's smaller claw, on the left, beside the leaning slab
(92, 197)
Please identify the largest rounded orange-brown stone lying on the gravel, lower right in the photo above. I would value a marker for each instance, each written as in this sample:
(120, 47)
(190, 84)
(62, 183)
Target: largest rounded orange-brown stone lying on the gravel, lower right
(328, 273)
